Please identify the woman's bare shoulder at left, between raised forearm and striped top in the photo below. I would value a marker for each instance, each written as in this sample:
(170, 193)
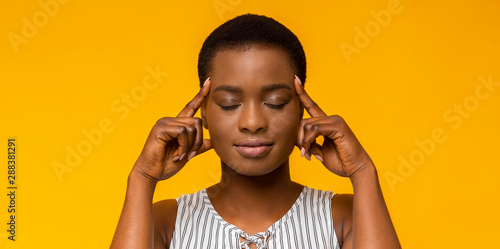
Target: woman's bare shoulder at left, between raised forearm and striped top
(164, 213)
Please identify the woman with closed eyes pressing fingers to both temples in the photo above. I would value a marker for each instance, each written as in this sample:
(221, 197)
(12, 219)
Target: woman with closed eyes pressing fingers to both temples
(252, 71)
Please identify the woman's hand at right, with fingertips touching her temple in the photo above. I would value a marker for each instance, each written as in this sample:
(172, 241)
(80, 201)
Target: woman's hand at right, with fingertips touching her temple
(341, 152)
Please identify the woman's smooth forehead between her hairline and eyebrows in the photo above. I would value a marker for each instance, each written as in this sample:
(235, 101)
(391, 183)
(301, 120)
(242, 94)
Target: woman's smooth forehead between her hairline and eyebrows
(251, 67)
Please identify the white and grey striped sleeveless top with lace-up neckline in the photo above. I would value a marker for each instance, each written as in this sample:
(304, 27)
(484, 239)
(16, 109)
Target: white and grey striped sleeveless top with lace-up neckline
(308, 224)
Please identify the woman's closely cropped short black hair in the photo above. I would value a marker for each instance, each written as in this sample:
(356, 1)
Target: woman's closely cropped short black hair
(250, 29)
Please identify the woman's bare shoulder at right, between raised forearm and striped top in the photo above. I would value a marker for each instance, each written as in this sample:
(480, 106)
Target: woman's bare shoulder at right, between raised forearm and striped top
(342, 217)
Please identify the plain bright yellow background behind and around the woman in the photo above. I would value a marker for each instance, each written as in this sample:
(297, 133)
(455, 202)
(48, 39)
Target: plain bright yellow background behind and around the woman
(399, 87)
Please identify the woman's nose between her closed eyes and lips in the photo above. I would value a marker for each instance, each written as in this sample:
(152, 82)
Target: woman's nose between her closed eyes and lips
(253, 118)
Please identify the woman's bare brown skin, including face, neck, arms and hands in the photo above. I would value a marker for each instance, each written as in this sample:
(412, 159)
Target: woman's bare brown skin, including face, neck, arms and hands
(253, 95)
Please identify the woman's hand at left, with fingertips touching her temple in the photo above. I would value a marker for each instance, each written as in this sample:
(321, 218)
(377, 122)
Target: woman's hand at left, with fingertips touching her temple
(174, 141)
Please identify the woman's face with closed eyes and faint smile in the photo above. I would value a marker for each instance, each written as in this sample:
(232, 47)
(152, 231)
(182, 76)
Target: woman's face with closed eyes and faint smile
(252, 112)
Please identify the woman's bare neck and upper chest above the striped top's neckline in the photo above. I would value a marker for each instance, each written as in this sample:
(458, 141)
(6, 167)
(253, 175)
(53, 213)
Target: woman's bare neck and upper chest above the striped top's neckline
(254, 203)
